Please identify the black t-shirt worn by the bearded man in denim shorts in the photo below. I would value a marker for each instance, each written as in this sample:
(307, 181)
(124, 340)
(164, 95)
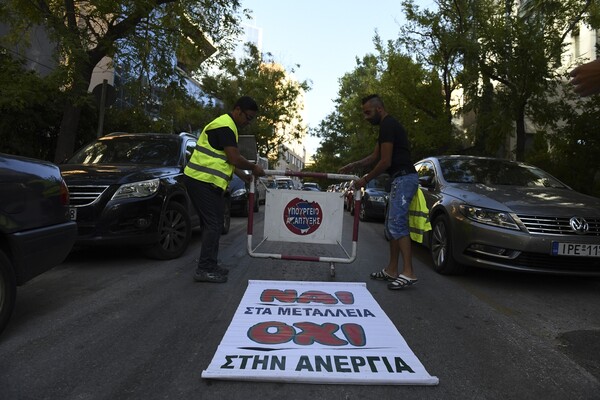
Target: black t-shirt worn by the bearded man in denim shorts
(390, 130)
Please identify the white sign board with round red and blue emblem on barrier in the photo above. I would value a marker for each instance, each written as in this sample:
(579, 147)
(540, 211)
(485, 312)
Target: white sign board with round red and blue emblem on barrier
(303, 216)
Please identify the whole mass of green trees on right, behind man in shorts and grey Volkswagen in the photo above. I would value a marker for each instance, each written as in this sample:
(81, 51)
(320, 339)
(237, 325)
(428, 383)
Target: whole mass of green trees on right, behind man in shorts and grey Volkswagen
(498, 65)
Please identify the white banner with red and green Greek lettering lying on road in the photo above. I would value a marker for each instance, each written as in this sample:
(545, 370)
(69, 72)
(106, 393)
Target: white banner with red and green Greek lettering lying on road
(314, 332)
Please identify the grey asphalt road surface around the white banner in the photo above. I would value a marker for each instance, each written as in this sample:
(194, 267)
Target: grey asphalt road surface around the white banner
(111, 324)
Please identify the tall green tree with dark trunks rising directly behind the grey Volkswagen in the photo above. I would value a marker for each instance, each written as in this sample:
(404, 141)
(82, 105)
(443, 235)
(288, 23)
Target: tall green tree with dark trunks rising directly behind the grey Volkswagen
(509, 53)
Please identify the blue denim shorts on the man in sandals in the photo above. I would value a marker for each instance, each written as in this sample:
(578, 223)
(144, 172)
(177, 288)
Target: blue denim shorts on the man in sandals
(401, 194)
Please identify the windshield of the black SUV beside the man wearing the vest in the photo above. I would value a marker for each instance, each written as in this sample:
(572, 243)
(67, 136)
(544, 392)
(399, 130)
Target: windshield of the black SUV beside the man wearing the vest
(129, 150)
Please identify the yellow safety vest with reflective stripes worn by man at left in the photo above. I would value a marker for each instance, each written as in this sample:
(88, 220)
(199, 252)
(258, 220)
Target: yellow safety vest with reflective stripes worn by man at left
(208, 164)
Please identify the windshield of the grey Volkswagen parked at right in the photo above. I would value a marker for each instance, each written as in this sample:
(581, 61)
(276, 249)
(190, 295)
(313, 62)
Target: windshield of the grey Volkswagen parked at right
(495, 172)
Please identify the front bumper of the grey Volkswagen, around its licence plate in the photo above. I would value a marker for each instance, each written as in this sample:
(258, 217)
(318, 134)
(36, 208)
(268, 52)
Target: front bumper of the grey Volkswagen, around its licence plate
(487, 246)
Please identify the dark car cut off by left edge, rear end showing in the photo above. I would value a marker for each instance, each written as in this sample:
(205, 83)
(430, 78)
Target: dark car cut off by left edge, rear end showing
(36, 233)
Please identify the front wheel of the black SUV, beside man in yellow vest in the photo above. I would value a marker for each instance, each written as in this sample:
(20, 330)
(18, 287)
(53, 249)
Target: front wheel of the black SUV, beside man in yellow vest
(175, 232)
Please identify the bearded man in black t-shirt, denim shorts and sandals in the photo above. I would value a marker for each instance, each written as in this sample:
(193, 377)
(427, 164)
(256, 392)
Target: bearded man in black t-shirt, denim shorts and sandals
(392, 154)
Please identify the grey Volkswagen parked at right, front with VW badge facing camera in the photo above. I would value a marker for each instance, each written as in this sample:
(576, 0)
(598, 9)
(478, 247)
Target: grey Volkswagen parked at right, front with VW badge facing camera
(495, 213)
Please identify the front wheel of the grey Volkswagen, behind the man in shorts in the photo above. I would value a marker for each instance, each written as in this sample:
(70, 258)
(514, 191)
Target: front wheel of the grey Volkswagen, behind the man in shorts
(441, 248)
